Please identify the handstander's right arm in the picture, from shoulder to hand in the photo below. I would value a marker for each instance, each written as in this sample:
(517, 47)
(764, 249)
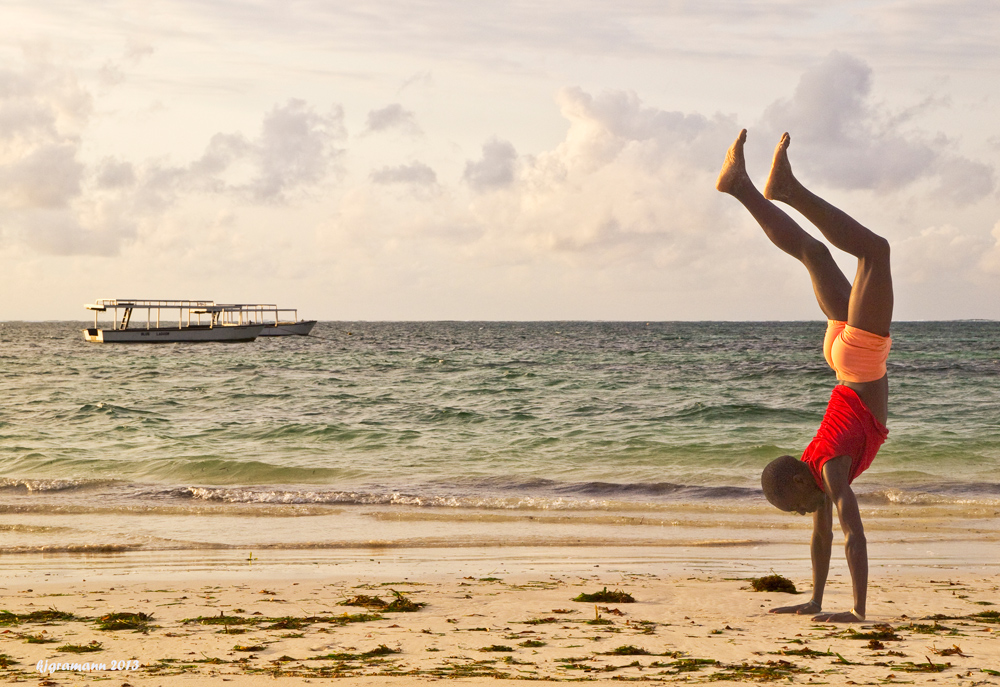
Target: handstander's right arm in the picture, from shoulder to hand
(836, 477)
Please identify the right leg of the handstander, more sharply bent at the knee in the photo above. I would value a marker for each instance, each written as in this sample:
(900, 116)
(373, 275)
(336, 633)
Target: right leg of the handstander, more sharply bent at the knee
(871, 299)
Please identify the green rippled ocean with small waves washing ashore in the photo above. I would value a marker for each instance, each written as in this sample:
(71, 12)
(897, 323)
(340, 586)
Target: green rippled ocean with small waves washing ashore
(468, 433)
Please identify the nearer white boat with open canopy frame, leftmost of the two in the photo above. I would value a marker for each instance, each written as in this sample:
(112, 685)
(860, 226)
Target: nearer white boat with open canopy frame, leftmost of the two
(158, 329)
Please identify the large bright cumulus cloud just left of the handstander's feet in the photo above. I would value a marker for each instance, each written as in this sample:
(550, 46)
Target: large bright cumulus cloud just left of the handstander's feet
(629, 182)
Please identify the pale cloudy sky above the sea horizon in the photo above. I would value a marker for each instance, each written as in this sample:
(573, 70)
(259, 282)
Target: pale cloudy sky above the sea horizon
(455, 160)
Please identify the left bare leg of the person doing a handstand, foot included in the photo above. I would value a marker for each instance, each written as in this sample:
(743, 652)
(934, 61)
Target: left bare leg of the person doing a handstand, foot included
(833, 291)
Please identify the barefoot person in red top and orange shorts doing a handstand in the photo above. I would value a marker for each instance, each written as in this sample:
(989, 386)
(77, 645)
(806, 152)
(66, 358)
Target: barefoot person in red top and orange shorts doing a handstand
(856, 347)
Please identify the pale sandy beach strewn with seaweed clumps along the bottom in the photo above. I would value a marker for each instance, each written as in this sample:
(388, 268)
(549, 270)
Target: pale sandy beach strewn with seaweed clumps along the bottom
(482, 616)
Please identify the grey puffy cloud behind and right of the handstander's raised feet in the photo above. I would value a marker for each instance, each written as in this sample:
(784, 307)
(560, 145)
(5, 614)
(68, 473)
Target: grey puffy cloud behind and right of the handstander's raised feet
(850, 141)
